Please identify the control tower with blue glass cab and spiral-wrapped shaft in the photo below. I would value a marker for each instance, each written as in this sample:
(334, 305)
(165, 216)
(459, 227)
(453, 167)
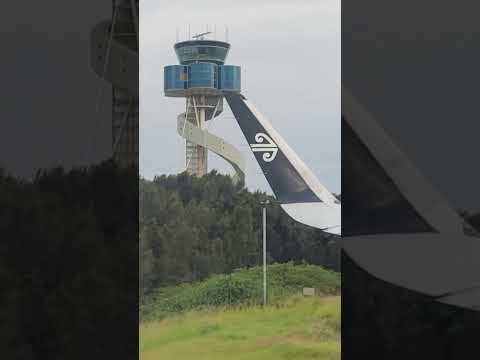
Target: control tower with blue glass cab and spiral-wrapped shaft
(201, 78)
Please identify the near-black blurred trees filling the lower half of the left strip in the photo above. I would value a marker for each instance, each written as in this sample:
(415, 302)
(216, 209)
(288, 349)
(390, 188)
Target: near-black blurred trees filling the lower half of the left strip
(68, 264)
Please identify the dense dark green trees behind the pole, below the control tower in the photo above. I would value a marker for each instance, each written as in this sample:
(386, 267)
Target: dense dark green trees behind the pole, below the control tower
(192, 227)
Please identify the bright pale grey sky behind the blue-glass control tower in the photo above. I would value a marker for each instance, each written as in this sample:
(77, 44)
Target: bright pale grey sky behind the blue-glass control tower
(290, 56)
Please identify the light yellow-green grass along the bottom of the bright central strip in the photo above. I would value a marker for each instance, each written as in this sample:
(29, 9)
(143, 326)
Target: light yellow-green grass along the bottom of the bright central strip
(298, 328)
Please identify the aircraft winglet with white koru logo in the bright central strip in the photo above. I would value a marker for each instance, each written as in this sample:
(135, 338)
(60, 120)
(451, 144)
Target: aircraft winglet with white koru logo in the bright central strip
(298, 190)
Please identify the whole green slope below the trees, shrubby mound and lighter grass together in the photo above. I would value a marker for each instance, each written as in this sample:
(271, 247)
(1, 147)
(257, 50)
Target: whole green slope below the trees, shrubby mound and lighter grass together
(221, 318)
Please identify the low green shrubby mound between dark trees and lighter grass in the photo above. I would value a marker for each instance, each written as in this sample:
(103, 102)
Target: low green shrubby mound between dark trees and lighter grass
(241, 288)
